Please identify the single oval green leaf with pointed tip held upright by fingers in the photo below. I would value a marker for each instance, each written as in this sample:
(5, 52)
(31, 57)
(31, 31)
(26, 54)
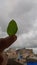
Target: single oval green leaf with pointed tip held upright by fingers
(12, 28)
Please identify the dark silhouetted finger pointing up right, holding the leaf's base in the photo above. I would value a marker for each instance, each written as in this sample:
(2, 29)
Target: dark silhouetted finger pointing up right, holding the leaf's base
(6, 42)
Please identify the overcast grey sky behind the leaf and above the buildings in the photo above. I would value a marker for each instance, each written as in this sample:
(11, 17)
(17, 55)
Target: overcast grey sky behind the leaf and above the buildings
(24, 12)
